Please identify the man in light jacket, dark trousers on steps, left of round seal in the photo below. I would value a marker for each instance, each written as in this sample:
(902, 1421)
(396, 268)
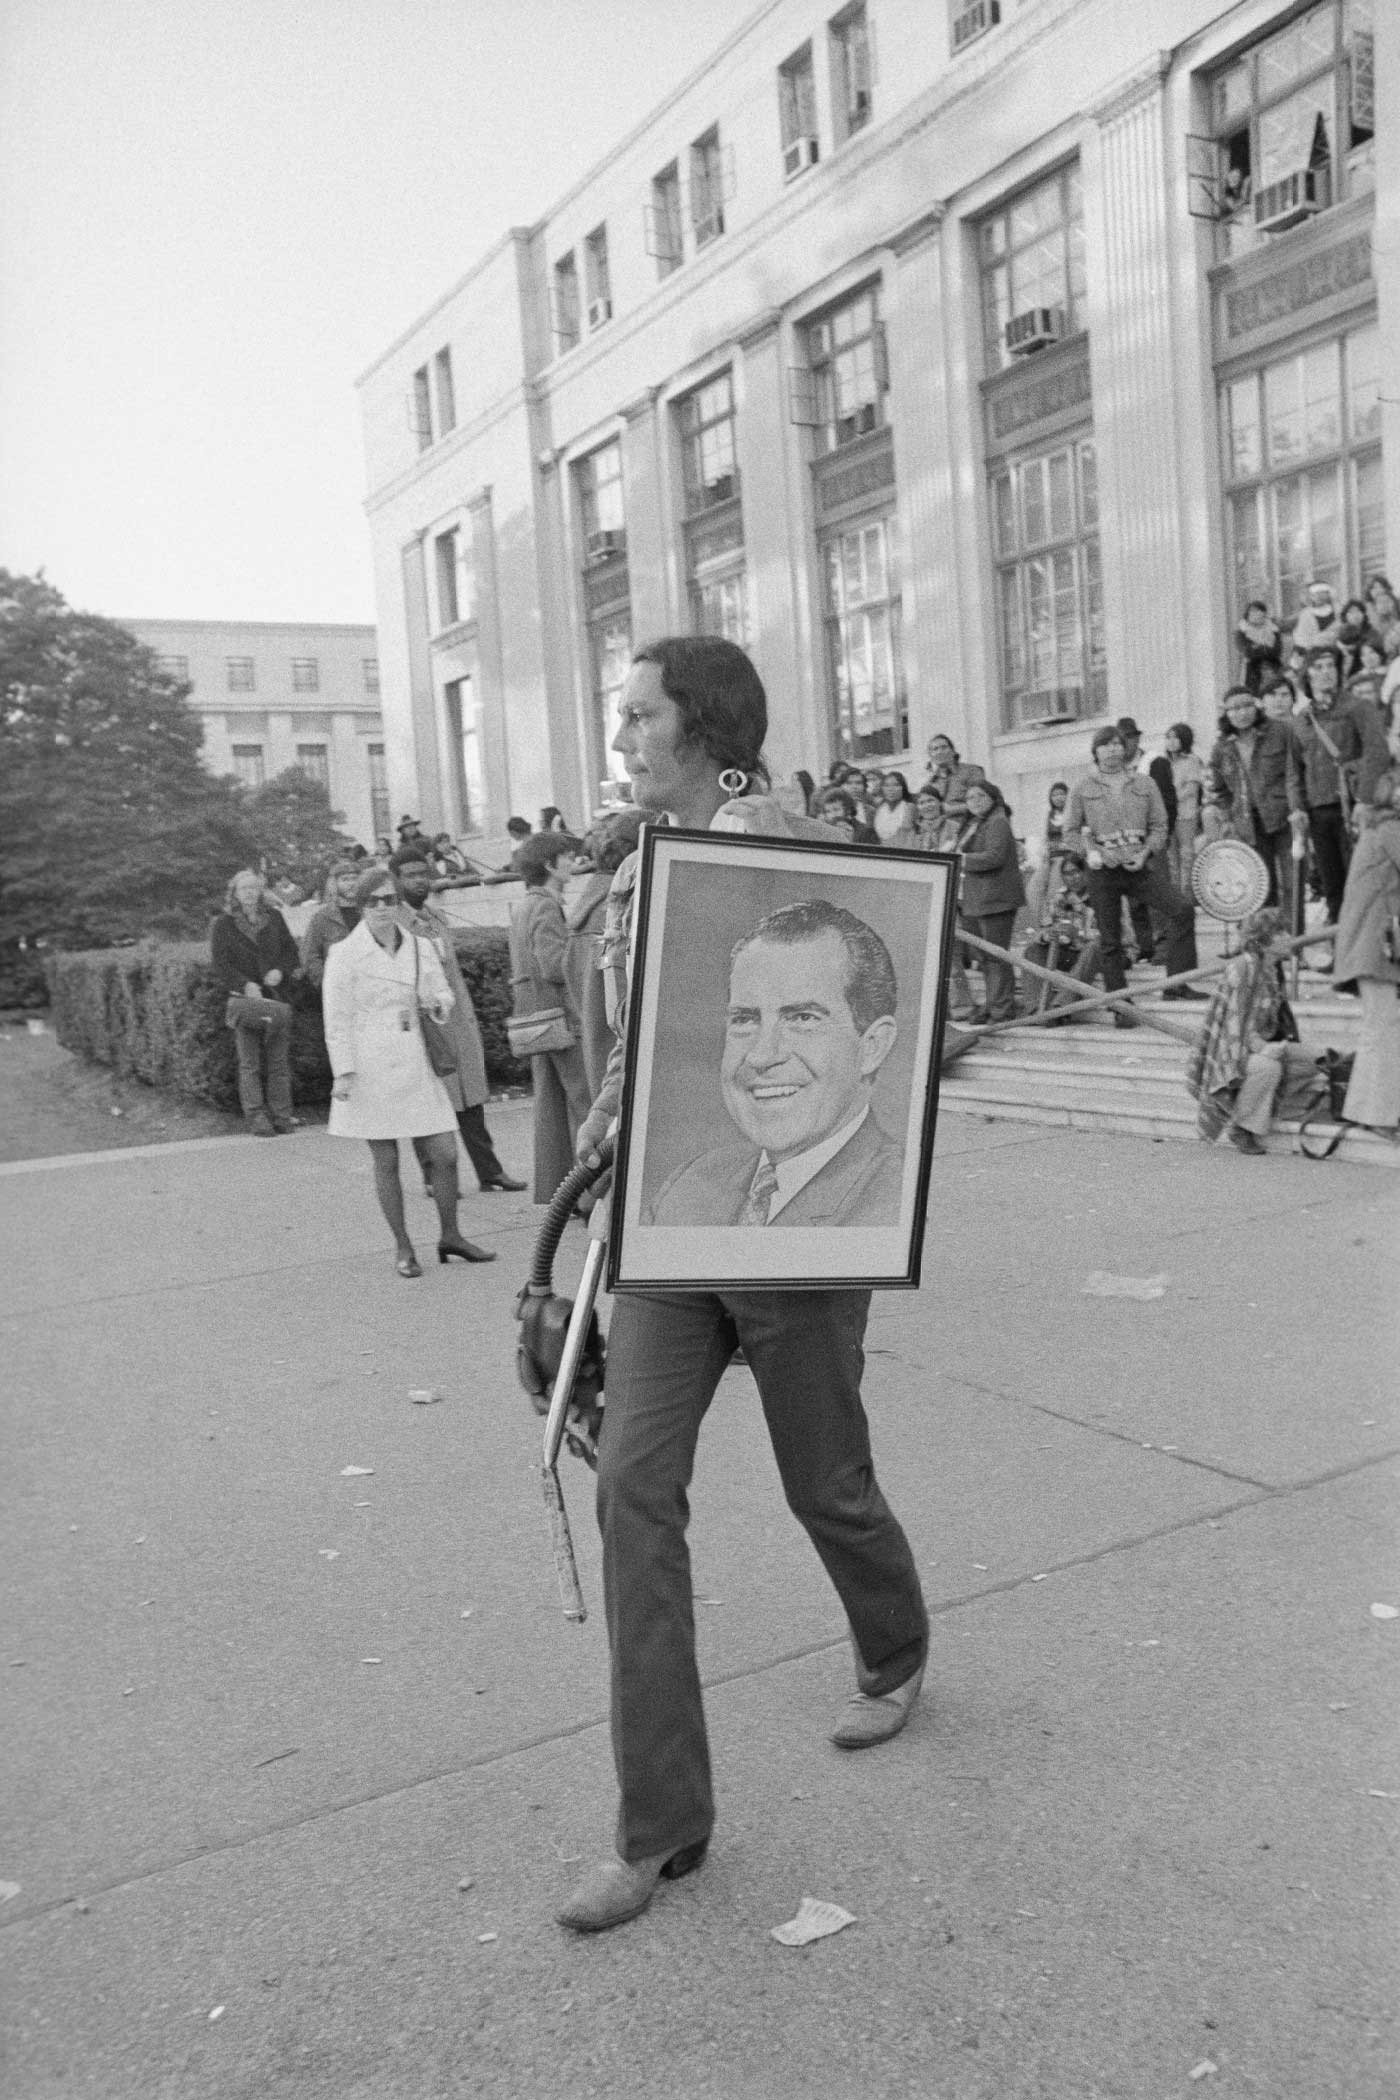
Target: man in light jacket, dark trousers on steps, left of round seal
(1118, 824)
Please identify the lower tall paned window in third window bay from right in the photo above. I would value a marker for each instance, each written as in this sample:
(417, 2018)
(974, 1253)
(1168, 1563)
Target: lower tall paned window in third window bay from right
(864, 642)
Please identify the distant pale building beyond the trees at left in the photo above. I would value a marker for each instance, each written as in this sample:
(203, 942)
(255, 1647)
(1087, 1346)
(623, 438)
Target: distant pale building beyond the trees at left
(278, 696)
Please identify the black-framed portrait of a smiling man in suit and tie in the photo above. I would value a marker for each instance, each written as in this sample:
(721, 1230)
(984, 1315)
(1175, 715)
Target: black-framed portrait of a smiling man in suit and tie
(784, 1045)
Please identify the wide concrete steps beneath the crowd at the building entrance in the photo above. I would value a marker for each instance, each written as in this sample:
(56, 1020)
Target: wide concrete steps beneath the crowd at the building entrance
(1090, 1076)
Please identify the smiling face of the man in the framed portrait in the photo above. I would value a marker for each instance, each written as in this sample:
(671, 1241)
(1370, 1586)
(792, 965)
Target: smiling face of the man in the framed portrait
(797, 1066)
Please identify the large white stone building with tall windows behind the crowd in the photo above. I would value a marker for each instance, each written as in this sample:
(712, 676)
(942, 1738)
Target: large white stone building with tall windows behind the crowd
(971, 364)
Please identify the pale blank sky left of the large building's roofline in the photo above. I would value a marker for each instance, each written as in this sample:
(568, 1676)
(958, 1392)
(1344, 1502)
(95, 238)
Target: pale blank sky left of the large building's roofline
(215, 215)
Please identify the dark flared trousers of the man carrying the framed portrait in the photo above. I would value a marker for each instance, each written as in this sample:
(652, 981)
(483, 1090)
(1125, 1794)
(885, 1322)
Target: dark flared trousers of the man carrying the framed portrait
(666, 1356)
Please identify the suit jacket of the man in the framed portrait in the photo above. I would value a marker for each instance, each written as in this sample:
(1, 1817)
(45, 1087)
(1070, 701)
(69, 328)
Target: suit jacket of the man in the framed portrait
(860, 1185)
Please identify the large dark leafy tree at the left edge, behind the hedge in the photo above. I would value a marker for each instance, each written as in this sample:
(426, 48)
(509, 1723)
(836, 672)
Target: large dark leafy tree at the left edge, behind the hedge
(110, 826)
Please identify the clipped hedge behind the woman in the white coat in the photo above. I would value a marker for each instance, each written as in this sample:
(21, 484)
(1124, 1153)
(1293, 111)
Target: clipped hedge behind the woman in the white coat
(154, 1013)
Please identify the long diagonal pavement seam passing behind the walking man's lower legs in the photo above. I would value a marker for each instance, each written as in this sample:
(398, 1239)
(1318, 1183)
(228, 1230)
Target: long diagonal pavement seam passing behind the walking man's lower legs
(731, 1677)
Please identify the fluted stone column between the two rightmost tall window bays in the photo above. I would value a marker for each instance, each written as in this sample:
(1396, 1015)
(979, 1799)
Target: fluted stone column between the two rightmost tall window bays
(1137, 425)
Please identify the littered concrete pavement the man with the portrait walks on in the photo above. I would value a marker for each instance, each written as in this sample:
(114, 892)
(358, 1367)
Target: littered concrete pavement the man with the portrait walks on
(266, 1717)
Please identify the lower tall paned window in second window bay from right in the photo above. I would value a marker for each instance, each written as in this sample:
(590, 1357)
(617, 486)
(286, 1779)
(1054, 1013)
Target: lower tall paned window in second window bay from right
(1051, 597)
